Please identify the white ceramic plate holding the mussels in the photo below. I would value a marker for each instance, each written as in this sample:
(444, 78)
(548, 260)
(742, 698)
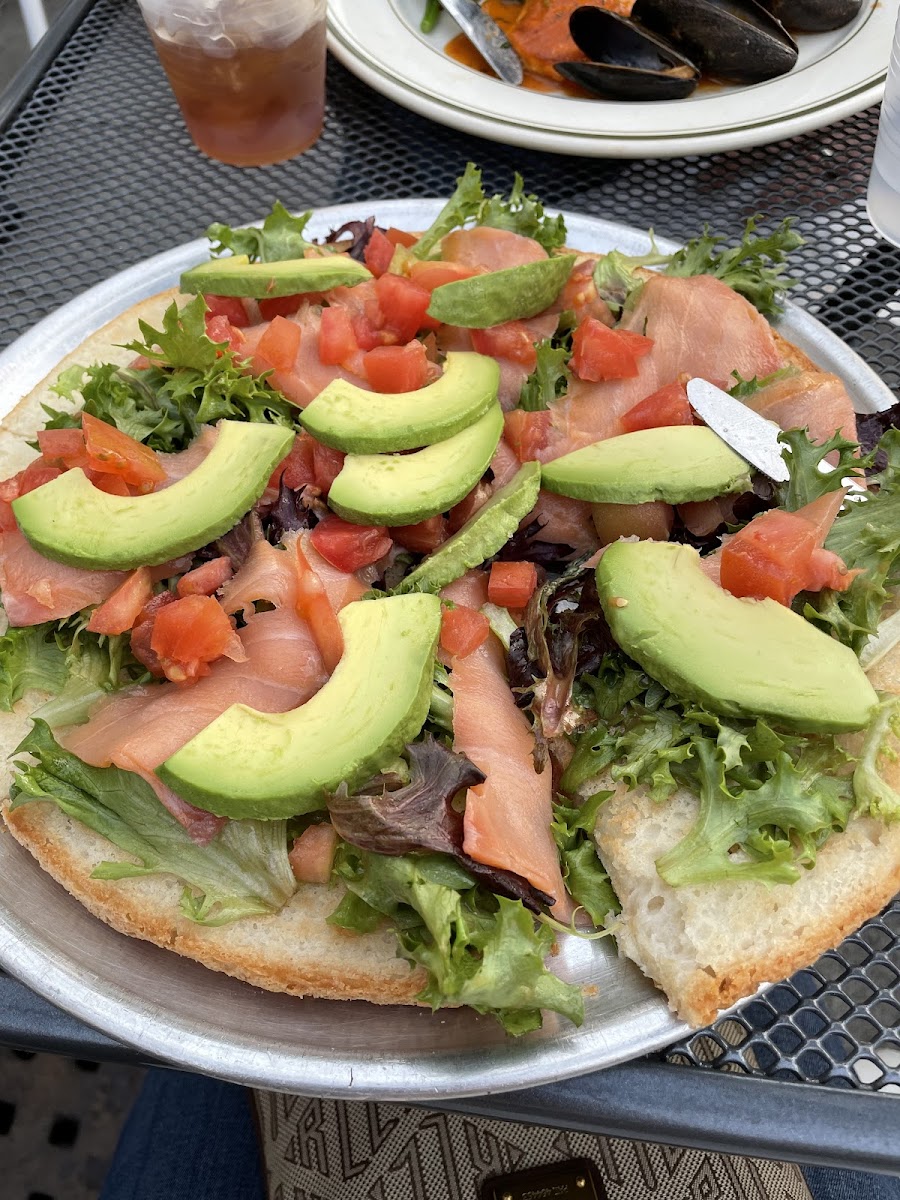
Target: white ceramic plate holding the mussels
(838, 74)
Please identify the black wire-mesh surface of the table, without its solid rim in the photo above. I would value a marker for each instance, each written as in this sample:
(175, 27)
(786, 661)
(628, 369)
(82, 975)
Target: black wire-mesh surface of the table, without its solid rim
(97, 173)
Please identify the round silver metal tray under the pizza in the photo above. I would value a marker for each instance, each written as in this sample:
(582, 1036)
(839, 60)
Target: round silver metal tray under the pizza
(175, 1010)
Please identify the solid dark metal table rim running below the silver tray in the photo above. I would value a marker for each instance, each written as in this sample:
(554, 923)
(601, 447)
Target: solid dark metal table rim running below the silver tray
(645, 1100)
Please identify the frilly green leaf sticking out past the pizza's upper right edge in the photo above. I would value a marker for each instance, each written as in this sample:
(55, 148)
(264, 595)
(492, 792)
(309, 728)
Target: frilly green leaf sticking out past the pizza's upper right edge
(754, 268)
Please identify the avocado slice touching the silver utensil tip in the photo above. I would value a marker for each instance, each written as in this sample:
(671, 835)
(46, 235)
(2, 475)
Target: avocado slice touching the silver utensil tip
(677, 464)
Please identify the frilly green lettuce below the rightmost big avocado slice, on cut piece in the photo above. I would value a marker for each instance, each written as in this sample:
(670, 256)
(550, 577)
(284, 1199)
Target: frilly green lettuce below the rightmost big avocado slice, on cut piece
(776, 797)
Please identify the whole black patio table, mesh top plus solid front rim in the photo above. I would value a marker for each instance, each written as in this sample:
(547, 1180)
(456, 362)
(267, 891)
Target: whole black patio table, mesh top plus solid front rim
(807, 1071)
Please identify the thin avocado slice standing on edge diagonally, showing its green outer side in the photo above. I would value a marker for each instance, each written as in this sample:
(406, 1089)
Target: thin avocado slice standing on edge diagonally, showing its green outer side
(482, 537)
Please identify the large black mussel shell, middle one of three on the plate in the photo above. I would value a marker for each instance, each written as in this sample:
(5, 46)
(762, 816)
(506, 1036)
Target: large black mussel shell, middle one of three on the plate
(734, 40)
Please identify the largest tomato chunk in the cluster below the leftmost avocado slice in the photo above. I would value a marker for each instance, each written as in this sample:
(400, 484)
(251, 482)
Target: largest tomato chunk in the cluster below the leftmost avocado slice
(189, 635)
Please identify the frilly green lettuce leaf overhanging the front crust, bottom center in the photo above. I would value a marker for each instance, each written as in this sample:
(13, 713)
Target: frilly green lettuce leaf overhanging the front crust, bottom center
(479, 950)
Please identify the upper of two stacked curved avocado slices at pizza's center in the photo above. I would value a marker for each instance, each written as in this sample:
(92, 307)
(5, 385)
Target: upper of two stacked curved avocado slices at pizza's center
(349, 418)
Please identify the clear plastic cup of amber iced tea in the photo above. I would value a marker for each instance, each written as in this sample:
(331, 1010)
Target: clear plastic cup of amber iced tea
(248, 75)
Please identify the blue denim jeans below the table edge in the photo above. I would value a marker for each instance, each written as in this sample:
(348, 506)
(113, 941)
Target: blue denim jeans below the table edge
(191, 1138)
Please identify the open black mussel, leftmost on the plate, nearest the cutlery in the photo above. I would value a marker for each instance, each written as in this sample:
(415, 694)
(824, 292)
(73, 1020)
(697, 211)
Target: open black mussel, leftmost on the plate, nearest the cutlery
(627, 63)
